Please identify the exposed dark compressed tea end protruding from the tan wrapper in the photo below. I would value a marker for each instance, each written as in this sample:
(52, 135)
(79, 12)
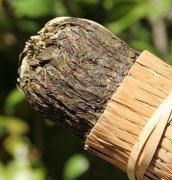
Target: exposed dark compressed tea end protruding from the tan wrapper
(71, 69)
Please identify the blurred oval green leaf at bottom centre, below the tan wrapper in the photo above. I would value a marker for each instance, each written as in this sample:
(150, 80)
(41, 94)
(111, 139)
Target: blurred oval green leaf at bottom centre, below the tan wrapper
(75, 167)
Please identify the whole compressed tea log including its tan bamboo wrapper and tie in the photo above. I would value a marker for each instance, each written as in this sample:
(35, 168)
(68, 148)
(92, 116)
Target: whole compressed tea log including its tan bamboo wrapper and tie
(116, 99)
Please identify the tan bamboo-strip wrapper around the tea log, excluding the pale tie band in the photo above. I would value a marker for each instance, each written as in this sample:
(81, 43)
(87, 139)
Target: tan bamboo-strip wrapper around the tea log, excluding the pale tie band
(117, 131)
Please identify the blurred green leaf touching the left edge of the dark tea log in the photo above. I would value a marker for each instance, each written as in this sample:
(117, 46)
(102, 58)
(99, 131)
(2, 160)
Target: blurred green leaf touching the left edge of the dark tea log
(15, 97)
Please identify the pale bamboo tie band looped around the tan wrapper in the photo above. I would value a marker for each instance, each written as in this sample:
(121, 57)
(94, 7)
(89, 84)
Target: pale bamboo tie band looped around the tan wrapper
(149, 139)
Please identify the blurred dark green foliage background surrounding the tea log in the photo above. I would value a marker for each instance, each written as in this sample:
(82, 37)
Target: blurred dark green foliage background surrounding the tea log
(33, 148)
